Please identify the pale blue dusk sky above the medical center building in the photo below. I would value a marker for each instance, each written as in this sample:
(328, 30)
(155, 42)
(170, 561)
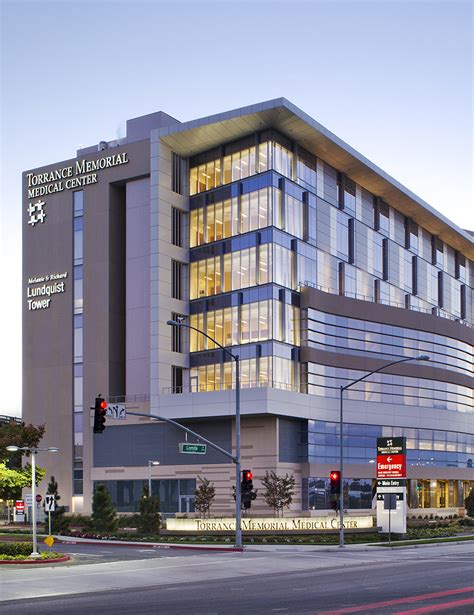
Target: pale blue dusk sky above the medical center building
(392, 79)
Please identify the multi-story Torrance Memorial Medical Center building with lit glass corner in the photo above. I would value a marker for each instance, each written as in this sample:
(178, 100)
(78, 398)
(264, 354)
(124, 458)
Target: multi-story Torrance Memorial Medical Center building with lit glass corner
(282, 243)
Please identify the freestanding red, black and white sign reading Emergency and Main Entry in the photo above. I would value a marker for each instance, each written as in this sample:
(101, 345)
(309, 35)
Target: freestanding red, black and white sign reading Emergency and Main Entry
(391, 478)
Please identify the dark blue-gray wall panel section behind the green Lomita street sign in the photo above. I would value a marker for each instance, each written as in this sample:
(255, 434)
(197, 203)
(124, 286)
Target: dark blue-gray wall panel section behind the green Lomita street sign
(134, 445)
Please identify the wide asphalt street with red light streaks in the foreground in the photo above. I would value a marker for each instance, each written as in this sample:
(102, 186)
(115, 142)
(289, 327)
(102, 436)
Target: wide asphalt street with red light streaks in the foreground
(402, 581)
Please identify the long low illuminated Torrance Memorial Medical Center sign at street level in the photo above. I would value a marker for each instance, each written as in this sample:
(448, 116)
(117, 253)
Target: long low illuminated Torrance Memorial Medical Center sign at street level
(286, 524)
